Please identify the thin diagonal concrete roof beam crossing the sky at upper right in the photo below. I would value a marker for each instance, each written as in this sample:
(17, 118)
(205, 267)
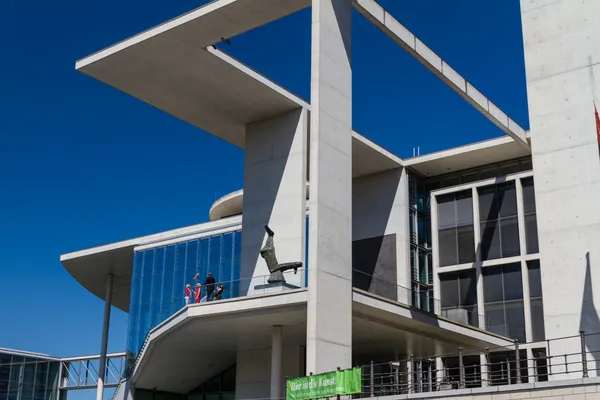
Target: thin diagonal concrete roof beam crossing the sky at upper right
(389, 25)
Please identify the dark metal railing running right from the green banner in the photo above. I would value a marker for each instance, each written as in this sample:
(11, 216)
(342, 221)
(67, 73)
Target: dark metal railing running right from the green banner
(572, 358)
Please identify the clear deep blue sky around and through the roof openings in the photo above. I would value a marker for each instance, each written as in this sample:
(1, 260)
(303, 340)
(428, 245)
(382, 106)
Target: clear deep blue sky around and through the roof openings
(82, 164)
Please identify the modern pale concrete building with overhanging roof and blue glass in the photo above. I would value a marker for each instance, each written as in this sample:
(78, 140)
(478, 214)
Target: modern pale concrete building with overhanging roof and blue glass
(404, 260)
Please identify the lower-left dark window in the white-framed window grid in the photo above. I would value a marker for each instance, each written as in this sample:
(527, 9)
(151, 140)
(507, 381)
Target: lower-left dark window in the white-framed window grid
(459, 297)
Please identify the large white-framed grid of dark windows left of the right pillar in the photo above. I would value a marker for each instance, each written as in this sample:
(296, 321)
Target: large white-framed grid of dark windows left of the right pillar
(503, 292)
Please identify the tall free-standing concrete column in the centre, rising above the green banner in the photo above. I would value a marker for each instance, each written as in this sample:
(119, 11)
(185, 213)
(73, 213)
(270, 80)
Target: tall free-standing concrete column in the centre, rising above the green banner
(329, 320)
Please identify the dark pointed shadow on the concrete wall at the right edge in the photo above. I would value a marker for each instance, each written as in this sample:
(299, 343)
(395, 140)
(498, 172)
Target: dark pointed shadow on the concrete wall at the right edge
(589, 321)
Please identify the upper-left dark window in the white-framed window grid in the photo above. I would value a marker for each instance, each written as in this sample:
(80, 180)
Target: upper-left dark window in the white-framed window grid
(455, 228)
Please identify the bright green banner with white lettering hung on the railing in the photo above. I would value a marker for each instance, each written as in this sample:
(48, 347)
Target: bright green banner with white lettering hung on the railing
(347, 381)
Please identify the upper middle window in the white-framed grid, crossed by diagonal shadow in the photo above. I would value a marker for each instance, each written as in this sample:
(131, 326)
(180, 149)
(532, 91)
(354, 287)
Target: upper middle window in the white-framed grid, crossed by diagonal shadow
(499, 223)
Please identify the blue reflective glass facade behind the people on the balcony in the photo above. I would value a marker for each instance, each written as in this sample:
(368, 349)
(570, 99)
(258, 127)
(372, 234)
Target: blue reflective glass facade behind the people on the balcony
(160, 275)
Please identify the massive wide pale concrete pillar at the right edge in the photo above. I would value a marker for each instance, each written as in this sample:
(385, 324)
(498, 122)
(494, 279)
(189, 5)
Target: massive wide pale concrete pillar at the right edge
(563, 81)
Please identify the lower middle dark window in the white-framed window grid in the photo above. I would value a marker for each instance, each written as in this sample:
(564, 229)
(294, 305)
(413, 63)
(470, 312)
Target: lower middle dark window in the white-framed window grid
(503, 299)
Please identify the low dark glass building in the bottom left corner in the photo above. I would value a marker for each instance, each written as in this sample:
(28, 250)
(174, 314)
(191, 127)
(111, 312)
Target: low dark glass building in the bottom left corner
(25, 377)
